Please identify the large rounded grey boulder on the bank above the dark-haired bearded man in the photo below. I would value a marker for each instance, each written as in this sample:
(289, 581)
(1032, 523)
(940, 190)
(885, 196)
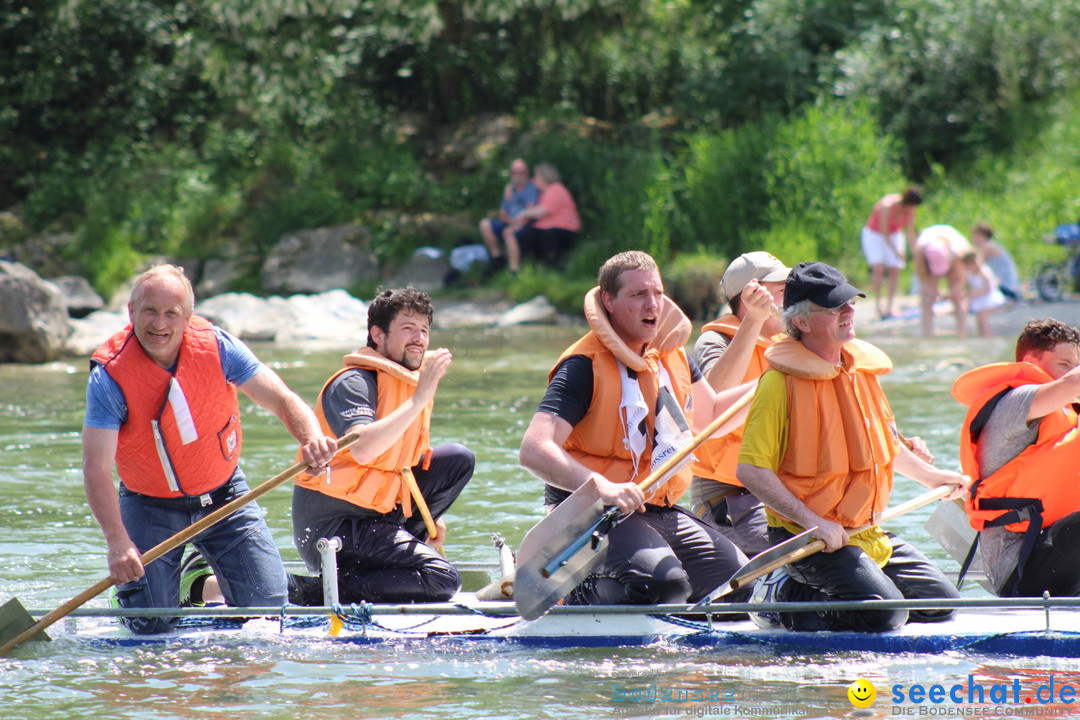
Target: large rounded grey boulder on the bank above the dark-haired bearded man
(320, 261)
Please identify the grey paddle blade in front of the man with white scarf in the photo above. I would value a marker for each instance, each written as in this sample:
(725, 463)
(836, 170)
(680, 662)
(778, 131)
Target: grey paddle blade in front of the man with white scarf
(535, 594)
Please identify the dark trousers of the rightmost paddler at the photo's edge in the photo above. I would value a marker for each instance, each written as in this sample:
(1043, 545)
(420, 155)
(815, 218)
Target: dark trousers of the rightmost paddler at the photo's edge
(1055, 564)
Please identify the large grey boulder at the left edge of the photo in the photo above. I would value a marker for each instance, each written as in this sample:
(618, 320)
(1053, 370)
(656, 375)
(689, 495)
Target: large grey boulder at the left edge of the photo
(34, 321)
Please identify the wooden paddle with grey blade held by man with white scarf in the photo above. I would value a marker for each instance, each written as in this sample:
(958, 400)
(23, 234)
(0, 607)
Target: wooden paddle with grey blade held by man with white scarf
(563, 549)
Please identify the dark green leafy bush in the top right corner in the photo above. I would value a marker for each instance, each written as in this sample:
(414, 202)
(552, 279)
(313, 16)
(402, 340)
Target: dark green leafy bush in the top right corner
(952, 78)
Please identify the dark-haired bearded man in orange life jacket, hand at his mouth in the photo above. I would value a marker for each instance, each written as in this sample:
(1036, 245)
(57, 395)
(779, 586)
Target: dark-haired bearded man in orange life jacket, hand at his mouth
(385, 393)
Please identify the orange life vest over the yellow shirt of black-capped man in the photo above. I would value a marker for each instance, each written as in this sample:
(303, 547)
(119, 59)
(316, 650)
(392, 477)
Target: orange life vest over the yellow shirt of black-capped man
(842, 438)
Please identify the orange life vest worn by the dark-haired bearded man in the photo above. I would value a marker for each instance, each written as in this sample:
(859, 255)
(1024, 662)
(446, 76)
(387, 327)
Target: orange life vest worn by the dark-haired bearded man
(379, 485)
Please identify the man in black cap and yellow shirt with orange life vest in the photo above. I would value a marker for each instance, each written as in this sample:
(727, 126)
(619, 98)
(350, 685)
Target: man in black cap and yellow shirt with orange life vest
(819, 450)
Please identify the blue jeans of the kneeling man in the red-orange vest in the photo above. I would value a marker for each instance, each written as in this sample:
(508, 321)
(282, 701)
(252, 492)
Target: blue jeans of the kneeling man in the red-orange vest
(240, 549)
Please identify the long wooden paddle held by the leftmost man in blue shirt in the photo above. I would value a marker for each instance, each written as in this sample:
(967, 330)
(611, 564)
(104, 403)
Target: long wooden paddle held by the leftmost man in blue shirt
(164, 548)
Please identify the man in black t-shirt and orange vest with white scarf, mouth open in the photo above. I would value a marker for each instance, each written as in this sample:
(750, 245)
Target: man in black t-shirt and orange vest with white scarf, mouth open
(614, 409)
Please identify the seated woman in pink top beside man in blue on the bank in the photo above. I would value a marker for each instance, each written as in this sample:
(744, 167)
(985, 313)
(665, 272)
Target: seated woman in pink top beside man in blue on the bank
(556, 223)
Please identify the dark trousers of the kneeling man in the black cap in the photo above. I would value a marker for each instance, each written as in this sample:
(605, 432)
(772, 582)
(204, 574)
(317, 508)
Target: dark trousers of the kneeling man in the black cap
(850, 575)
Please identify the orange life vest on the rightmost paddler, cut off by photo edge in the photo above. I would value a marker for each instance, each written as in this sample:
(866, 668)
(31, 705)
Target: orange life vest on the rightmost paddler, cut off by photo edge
(1044, 479)
